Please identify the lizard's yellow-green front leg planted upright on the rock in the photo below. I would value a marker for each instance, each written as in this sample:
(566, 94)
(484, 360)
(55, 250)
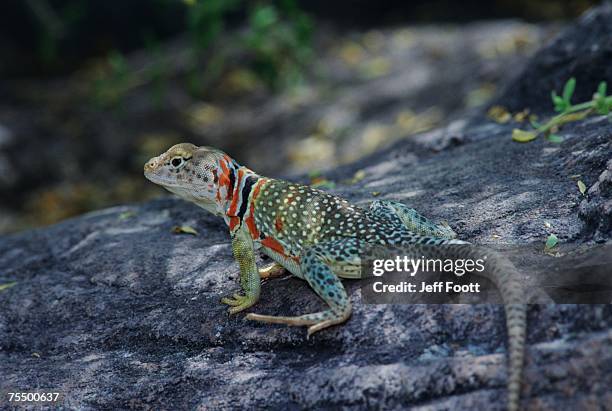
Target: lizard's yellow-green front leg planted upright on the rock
(250, 281)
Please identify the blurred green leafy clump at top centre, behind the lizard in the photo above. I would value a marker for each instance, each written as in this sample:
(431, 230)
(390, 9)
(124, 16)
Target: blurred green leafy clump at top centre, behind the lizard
(276, 40)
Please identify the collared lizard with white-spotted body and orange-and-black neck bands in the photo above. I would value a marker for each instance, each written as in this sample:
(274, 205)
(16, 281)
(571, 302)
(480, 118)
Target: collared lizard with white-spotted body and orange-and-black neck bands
(314, 235)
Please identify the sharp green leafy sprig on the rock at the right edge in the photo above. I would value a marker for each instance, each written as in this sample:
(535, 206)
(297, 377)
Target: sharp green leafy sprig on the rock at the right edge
(568, 112)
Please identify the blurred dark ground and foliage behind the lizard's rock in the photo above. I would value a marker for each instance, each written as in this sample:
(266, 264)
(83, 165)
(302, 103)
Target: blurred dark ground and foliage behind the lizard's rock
(89, 90)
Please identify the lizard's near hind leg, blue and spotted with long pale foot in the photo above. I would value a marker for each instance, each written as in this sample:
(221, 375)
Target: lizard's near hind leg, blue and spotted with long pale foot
(317, 272)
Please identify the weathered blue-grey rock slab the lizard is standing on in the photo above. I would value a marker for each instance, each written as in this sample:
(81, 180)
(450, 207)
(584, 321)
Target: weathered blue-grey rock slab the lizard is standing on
(116, 312)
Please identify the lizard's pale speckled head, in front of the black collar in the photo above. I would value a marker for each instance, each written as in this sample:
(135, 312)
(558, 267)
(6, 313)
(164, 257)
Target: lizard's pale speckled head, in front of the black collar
(196, 174)
